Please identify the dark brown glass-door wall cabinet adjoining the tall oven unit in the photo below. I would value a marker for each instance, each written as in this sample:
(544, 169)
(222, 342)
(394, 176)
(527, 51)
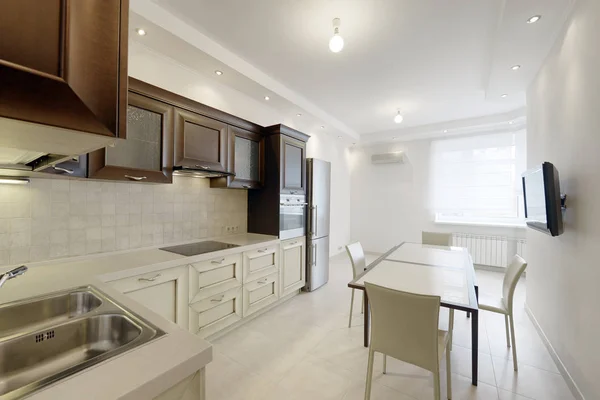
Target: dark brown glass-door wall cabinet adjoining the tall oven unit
(245, 157)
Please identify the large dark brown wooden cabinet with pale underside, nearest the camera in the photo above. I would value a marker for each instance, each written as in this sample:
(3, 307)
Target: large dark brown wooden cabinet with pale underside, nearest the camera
(63, 64)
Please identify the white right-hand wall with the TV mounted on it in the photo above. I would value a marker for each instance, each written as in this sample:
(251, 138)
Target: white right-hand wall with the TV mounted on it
(564, 128)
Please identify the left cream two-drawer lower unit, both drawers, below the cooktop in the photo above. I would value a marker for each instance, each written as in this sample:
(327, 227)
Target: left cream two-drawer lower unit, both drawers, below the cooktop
(215, 294)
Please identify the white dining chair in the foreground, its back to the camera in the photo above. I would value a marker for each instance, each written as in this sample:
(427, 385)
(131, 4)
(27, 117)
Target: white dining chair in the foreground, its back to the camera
(405, 327)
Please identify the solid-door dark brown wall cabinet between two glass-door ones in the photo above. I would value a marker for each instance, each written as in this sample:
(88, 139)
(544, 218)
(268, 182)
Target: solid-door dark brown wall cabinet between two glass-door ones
(200, 141)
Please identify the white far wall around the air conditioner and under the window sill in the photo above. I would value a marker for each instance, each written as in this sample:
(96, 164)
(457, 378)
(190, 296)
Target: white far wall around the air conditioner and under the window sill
(390, 202)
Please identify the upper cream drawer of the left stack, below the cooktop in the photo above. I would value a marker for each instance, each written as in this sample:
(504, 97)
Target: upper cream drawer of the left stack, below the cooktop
(215, 276)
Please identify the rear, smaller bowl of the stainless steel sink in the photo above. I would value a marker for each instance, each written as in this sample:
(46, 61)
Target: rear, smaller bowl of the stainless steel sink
(55, 308)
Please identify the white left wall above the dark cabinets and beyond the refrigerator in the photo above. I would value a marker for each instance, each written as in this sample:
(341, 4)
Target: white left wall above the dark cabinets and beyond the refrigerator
(162, 71)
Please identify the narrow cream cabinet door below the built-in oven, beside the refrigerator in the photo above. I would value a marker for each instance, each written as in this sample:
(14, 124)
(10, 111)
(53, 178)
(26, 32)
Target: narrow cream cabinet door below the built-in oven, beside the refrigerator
(293, 265)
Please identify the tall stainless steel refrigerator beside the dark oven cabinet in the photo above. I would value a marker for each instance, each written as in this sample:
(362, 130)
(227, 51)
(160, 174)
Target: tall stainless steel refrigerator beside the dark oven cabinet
(318, 184)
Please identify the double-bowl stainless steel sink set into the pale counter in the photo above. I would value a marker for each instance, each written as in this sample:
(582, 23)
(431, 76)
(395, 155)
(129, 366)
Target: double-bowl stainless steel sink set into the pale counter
(73, 338)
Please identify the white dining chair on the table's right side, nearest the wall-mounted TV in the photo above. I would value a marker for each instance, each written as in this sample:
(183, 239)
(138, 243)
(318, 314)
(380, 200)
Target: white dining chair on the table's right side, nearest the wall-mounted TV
(504, 304)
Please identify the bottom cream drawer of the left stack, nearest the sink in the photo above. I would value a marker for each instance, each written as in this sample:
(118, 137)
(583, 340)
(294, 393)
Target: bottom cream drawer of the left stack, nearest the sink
(216, 312)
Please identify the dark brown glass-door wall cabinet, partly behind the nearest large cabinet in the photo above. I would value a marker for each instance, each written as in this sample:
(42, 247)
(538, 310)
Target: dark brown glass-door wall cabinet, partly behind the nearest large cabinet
(147, 154)
